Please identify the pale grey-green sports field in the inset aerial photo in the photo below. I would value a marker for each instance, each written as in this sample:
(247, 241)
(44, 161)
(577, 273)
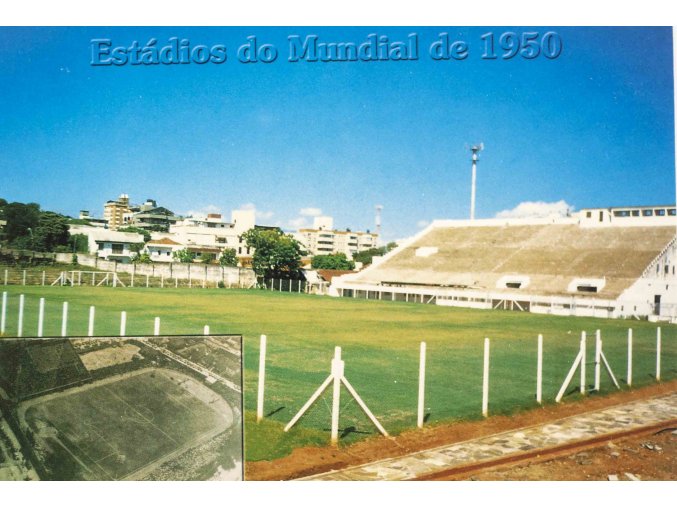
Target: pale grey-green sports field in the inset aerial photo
(111, 430)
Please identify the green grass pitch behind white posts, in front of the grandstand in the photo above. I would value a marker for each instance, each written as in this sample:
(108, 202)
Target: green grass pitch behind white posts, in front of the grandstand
(380, 343)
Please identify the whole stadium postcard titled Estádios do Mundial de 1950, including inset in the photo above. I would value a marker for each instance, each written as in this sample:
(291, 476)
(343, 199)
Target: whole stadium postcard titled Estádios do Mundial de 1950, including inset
(338, 253)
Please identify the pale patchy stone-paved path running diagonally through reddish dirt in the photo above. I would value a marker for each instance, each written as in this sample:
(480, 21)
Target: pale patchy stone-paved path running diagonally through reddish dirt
(565, 431)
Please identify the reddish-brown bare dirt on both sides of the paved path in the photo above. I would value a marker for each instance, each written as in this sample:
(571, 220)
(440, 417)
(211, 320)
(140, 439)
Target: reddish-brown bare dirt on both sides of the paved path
(655, 464)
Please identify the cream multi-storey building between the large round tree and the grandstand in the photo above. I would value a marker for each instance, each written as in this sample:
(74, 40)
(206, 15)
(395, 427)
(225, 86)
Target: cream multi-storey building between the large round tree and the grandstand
(323, 239)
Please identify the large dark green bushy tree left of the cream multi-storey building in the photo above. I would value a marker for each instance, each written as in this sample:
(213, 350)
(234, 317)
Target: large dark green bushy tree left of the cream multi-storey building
(276, 255)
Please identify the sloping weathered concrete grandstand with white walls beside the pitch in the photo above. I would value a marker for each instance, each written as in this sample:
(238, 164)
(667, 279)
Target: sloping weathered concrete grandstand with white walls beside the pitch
(605, 262)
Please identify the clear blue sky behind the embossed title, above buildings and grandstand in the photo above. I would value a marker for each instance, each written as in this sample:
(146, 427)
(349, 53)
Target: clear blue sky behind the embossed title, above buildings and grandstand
(593, 127)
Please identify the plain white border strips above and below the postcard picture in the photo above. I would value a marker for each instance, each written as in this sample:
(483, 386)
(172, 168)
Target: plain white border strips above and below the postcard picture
(351, 13)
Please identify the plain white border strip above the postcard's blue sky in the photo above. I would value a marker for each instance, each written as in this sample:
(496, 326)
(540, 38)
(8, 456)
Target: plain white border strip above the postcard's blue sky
(339, 12)
